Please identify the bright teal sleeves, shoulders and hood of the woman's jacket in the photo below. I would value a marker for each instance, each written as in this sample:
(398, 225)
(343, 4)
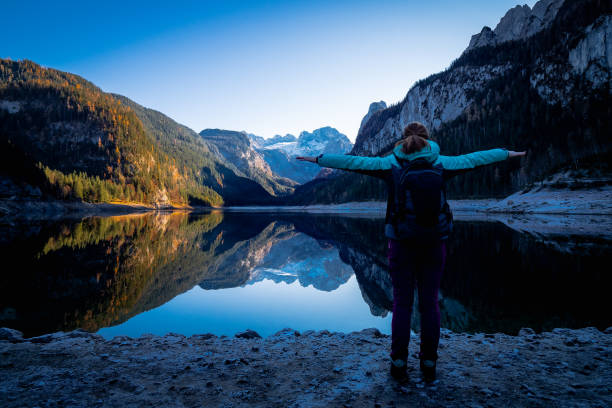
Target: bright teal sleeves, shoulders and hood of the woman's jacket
(430, 153)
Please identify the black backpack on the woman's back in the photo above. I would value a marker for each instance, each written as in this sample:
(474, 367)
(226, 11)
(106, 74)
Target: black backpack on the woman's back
(420, 208)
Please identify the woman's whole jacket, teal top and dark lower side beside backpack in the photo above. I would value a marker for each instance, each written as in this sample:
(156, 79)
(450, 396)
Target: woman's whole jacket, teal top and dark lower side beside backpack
(381, 167)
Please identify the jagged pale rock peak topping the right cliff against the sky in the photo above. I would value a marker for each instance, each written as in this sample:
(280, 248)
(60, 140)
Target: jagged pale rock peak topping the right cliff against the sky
(519, 22)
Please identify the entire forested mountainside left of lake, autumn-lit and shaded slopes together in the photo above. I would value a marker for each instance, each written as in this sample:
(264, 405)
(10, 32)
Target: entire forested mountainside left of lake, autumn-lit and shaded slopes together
(63, 137)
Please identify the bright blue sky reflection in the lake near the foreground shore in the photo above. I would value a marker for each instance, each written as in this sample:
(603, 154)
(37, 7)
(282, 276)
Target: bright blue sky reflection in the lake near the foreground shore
(265, 307)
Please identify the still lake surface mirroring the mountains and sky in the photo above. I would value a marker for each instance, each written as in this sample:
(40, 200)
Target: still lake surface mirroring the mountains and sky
(226, 272)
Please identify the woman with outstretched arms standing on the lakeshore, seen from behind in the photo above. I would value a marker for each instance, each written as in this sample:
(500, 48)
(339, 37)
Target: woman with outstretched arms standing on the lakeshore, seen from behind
(417, 224)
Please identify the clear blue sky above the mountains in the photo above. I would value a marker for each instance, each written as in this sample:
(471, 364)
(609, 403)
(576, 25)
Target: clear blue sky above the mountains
(267, 67)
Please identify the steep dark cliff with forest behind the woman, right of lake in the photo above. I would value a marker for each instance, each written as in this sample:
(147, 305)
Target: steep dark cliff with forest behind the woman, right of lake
(540, 82)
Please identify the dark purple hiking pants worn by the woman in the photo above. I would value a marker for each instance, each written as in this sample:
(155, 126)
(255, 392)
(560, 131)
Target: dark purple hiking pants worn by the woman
(416, 264)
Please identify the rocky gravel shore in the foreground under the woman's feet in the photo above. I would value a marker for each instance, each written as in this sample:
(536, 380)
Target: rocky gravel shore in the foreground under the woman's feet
(562, 368)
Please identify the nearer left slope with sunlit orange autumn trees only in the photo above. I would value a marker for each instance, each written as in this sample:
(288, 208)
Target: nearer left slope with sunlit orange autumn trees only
(88, 145)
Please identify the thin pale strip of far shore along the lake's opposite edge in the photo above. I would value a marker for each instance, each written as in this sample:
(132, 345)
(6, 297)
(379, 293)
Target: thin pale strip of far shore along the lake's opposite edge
(594, 202)
